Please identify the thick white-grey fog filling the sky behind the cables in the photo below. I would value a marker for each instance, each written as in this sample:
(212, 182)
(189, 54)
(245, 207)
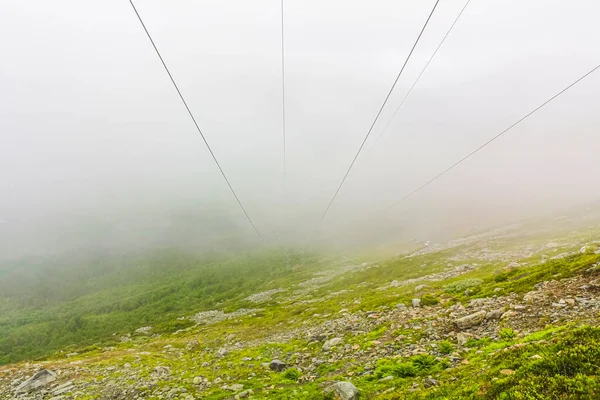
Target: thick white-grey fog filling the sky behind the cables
(96, 149)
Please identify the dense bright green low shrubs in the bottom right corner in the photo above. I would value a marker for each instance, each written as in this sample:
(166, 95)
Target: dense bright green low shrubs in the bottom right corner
(565, 368)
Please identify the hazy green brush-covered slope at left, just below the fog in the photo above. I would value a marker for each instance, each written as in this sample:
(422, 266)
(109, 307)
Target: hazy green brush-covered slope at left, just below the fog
(48, 314)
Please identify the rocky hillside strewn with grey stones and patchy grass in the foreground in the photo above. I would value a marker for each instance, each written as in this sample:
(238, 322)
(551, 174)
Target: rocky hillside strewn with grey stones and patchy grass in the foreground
(509, 314)
